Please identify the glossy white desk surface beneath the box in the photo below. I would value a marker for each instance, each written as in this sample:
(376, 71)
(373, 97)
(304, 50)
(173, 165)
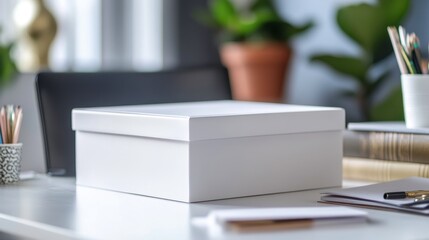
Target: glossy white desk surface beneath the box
(54, 208)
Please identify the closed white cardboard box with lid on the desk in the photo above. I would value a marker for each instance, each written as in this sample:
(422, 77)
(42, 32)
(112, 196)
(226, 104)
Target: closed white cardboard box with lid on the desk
(208, 150)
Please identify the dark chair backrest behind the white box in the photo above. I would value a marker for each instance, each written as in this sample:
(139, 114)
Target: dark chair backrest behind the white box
(59, 93)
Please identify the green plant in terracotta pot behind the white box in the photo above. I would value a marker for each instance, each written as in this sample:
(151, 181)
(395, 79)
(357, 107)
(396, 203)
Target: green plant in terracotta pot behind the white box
(254, 47)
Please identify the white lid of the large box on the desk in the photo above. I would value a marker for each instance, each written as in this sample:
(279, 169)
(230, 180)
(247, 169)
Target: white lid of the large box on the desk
(194, 121)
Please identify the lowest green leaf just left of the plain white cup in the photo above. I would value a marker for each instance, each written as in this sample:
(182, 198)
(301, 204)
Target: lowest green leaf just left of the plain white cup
(390, 109)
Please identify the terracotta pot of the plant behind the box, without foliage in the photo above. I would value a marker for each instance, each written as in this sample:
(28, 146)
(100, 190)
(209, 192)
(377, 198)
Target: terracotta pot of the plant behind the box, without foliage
(256, 71)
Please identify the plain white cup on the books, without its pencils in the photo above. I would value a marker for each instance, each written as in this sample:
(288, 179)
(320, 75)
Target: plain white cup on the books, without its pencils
(415, 92)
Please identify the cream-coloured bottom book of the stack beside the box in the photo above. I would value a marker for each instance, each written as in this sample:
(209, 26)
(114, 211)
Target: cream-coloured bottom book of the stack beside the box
(381, 170)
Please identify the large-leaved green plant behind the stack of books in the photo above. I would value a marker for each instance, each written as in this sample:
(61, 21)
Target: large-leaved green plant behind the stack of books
(365, 24)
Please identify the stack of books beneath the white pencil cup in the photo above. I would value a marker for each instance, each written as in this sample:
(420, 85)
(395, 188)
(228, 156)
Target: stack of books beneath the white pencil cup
(385, 151)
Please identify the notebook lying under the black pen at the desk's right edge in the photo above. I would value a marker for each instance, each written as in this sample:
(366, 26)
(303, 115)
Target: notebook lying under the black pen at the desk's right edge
(372, 195)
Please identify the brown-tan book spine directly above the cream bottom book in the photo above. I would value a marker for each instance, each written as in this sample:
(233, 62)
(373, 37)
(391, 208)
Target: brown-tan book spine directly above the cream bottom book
(390, 146)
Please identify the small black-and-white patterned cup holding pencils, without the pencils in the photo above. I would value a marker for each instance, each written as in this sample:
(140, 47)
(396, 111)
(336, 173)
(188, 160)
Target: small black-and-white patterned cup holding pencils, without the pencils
(10, 162)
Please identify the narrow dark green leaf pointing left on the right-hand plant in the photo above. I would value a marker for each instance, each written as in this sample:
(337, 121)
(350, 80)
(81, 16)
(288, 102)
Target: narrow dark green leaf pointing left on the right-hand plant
(347, 65)
